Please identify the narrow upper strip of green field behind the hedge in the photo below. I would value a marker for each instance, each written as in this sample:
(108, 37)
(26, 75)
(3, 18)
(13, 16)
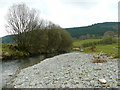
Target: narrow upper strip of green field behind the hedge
(80, 42)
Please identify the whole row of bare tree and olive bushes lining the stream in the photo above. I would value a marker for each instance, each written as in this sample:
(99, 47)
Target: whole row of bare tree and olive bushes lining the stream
(34, 34)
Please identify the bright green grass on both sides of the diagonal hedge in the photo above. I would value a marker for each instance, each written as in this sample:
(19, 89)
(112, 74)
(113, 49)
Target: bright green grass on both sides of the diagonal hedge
(110, 49)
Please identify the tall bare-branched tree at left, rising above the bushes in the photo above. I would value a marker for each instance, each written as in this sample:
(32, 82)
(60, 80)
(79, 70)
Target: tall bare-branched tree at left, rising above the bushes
(22, 20)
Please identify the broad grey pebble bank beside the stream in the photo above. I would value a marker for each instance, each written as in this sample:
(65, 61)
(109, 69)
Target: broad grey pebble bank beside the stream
(73, 70)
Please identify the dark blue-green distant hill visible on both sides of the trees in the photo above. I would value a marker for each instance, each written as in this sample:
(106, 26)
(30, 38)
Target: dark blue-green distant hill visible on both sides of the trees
(97, 29)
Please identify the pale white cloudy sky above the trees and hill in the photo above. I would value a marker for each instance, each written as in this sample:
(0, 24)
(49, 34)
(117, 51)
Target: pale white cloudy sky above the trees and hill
(66, 13)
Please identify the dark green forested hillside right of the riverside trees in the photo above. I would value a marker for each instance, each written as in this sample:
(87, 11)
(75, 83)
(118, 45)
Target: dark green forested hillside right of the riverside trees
(94, 31)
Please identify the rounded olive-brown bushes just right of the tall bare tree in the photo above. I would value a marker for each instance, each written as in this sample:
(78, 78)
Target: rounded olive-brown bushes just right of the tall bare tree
(52, 39)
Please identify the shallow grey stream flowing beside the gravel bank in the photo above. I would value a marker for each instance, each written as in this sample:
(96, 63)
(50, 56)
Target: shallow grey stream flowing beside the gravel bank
(12, 67)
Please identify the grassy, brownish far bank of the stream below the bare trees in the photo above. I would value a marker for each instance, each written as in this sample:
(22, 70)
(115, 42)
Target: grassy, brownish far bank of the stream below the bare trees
(9, 53)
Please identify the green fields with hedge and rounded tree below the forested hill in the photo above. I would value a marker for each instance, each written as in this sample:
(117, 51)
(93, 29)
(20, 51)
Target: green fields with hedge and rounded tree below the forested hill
(108, 44)
